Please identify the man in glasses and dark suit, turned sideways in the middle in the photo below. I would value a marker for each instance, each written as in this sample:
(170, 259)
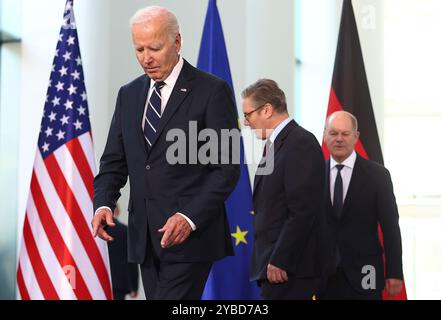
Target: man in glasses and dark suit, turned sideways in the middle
(287, 197)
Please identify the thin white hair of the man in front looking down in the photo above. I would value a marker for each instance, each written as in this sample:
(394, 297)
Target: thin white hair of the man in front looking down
(146, 14)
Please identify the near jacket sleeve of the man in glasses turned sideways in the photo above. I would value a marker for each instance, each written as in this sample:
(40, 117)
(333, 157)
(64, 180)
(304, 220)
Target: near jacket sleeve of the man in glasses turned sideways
(304, 184)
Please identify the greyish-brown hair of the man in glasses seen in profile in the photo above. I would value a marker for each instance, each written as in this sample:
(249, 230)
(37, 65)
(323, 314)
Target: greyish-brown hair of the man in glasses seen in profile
(266, 91)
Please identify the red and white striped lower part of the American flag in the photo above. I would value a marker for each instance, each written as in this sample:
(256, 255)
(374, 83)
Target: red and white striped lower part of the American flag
(59, 258)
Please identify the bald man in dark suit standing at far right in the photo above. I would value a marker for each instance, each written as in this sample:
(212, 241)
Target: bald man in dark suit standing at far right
(359, 196)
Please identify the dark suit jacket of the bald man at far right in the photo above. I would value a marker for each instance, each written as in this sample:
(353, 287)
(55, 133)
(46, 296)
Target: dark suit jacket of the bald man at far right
(370, 200)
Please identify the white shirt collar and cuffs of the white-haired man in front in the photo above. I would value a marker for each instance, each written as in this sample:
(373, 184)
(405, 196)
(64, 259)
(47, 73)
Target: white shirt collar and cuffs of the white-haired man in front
(165, 96)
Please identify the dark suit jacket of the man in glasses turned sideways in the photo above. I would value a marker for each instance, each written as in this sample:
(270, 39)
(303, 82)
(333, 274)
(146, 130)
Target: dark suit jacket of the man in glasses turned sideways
(288, 206)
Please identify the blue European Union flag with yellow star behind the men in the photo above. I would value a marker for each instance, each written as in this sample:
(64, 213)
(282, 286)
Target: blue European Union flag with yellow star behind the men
(229, 277)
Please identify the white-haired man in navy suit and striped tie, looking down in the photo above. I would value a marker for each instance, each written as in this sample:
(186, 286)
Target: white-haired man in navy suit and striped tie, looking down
(177, 220)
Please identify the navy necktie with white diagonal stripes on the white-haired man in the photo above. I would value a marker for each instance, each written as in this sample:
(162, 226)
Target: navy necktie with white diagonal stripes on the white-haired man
(153, 114)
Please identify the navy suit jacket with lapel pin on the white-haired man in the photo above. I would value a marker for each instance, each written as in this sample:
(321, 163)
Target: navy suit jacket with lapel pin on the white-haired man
(159, 189)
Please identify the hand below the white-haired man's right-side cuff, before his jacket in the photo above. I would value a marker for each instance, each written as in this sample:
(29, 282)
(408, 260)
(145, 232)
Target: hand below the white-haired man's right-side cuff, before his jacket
(176, 230)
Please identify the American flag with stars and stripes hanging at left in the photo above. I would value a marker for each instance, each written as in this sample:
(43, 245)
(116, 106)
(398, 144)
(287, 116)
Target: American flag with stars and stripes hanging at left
(59, 258)
